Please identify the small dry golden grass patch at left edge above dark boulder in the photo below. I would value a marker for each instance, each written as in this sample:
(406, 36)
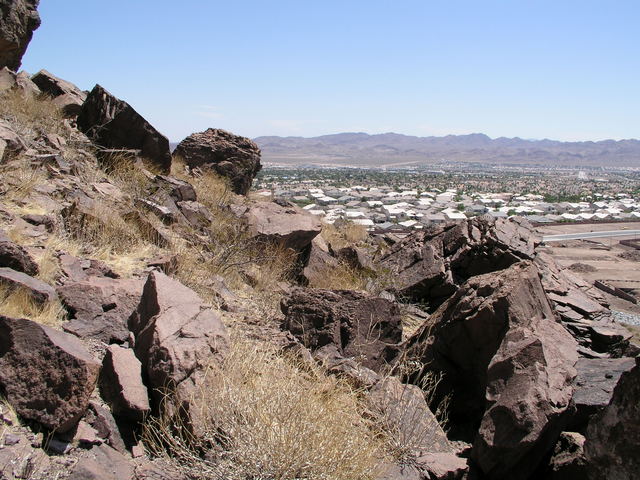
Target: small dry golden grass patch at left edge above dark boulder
(17, 303)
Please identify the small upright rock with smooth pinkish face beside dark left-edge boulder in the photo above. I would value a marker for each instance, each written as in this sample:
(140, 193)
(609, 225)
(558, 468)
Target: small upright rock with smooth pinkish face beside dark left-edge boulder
(121, 383)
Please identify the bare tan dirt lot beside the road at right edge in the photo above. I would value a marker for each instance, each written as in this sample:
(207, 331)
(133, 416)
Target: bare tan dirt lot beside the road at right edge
(601, 254)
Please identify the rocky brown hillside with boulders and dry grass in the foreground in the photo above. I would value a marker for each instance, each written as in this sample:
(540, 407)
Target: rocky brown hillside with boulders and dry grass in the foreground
(158, 321)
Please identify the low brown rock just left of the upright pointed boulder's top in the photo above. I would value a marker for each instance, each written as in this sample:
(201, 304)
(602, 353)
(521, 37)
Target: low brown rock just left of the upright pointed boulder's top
(100, 307)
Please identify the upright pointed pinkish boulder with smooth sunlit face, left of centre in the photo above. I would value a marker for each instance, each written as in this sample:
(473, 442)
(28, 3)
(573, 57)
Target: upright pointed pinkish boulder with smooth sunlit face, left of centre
(177, 337)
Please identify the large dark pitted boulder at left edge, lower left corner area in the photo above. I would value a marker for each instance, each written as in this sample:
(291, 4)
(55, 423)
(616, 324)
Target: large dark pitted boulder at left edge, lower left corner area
(47, 375)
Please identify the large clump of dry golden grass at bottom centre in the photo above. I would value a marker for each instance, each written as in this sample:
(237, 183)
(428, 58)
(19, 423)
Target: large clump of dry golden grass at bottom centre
(268, 416)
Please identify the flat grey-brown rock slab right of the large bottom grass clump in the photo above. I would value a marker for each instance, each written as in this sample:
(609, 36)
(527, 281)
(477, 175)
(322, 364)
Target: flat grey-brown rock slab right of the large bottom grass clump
(405, 414)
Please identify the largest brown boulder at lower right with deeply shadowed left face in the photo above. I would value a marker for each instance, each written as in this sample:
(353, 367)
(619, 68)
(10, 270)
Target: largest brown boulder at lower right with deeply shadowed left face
(507, 365)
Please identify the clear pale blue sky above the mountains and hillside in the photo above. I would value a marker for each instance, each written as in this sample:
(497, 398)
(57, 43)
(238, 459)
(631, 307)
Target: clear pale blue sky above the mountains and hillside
(560, 69)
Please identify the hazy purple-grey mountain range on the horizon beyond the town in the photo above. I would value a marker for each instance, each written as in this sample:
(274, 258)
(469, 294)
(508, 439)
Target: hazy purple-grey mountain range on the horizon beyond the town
(394, 150)
